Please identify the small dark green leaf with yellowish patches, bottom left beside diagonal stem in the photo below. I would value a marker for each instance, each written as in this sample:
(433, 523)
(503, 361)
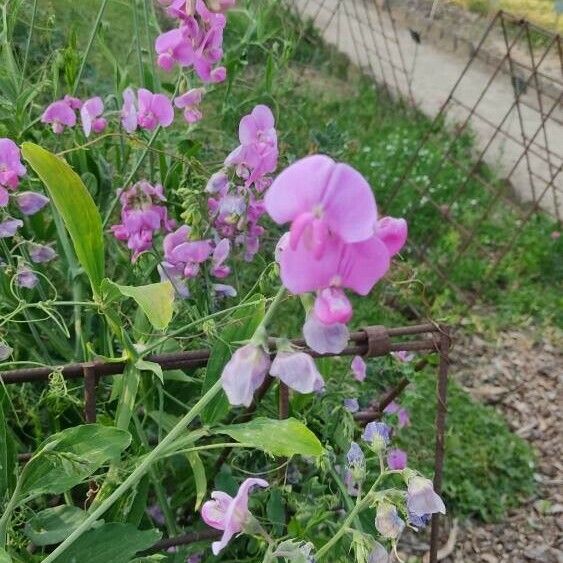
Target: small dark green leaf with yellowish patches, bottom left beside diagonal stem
(53, 525)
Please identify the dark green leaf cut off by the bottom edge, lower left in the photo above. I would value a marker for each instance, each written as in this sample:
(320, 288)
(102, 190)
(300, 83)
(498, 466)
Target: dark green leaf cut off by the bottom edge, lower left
(115, 542)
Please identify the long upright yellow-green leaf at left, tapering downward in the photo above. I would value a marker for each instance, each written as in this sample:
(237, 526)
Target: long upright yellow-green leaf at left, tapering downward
(76, 207)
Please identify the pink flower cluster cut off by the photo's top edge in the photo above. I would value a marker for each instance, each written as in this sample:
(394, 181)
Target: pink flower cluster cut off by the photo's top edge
(198, 40)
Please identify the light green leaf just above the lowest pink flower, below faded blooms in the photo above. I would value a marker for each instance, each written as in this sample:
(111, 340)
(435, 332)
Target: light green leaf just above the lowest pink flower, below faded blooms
(278, 437)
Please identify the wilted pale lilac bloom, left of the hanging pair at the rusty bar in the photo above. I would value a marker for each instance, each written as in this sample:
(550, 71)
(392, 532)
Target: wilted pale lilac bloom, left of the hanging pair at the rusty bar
(244, 373)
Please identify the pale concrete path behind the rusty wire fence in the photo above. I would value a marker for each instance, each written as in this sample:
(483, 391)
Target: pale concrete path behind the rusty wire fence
(363, 30)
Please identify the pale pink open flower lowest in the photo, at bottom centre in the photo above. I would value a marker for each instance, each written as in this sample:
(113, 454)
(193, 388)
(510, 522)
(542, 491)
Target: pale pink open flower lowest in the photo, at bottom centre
(231, 515)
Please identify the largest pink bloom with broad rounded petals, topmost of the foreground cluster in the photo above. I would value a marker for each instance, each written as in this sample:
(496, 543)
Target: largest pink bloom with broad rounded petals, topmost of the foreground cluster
(322, 198)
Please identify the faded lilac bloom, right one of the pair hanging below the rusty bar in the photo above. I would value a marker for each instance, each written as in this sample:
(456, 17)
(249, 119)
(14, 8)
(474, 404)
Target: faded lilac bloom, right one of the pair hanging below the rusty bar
(298, 371)
